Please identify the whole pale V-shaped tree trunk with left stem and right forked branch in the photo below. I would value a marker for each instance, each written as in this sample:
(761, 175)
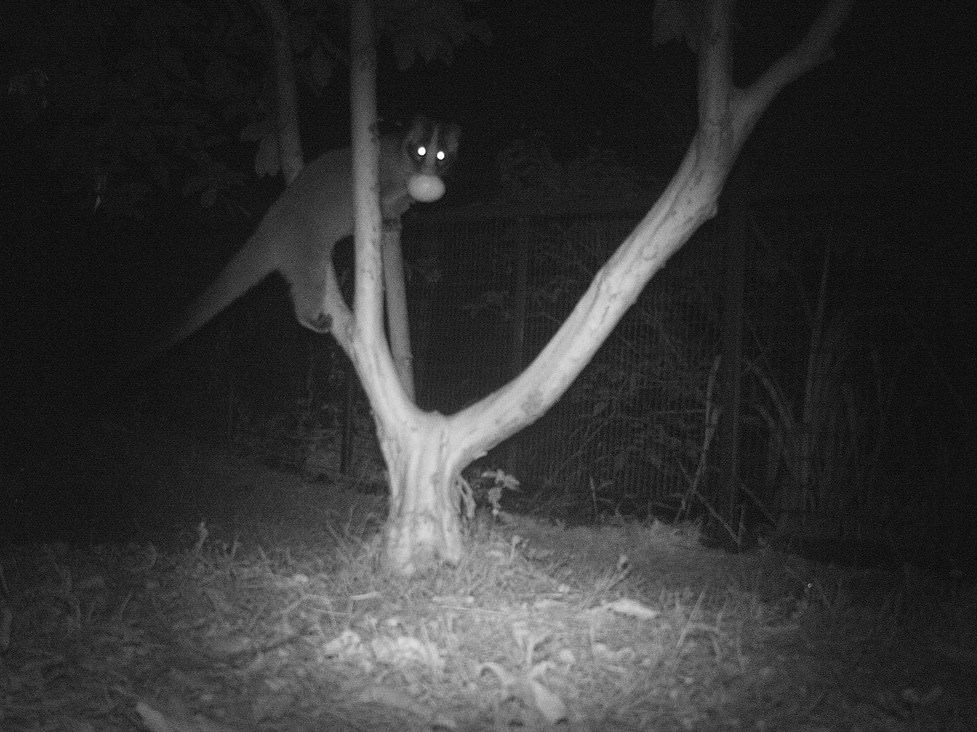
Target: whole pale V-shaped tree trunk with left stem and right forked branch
(425, 452)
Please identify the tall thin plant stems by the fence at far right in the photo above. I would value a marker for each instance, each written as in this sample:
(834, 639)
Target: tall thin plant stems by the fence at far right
(825, 432)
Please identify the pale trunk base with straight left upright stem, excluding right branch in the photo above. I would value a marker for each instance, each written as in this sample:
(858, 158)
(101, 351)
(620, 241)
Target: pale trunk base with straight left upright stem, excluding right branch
(423, 525)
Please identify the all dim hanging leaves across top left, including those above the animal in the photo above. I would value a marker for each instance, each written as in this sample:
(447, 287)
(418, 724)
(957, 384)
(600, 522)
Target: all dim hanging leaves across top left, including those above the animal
(129, 103)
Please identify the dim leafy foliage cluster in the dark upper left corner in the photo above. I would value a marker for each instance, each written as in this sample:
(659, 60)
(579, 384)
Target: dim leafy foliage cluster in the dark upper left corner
(141, 97)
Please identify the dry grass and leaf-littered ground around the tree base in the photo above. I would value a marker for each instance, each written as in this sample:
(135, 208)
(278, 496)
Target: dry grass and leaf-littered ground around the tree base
(281, 618)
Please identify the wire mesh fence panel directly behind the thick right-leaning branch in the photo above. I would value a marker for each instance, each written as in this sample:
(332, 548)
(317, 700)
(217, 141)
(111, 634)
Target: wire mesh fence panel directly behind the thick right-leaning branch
(627, 436)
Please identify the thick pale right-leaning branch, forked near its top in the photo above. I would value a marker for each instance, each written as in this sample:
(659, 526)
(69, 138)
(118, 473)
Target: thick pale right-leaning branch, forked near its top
(726, 118)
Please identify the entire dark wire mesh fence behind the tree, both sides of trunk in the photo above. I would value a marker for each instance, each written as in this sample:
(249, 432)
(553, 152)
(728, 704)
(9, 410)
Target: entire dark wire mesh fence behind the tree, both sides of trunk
(488, 289)
